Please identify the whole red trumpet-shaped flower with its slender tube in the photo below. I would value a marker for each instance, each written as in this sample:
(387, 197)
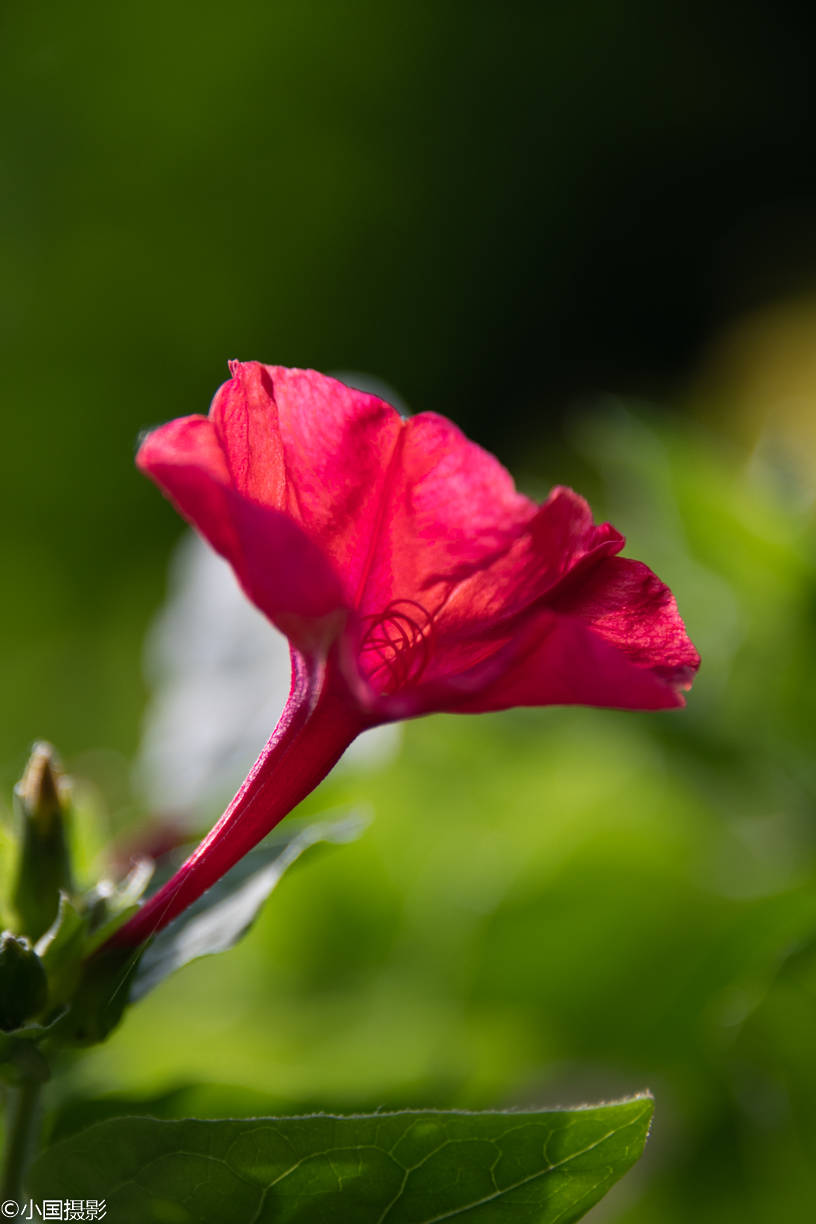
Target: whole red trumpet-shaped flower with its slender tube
(409, 577)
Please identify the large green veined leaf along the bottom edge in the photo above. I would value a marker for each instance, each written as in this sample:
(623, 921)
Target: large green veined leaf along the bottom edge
(408, 1168)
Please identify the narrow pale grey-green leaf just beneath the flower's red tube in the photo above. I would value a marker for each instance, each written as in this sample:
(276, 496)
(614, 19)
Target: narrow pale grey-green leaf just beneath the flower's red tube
(227, 911)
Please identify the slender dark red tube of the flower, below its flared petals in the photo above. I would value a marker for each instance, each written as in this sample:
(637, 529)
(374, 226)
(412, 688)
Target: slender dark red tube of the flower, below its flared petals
(315, 730)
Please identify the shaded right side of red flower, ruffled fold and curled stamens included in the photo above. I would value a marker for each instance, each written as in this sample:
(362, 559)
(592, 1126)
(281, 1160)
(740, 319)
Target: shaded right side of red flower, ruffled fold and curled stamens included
(557, 620)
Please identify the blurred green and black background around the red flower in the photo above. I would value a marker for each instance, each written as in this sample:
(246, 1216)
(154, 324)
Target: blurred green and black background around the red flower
(589, 236)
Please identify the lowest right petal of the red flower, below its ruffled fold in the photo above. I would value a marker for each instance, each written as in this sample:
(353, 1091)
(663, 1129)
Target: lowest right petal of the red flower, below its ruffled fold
(609, 635)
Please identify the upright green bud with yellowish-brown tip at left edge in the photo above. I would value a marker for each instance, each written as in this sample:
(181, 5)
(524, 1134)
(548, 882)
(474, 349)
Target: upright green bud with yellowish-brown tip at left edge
(45, 867)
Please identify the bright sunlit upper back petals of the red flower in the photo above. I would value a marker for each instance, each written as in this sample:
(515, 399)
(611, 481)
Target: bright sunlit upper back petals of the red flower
(399, 509)
